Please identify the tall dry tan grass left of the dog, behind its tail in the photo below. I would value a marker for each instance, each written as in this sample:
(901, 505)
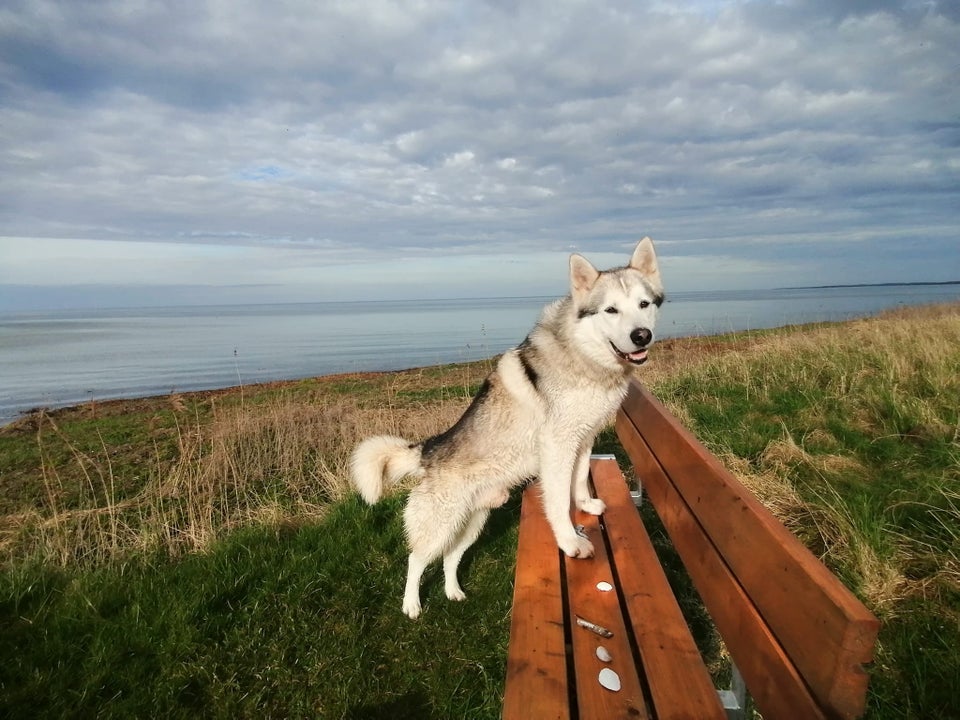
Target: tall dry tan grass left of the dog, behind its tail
(278, 461)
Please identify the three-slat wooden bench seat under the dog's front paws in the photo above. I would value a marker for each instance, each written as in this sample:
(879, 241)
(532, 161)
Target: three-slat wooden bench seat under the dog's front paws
(666, 670)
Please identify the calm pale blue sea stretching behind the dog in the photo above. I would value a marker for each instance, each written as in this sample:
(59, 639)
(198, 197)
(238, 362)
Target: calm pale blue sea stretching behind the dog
(62, 358)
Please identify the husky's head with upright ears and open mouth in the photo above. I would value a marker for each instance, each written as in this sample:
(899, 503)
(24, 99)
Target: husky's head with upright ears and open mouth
(617, 309)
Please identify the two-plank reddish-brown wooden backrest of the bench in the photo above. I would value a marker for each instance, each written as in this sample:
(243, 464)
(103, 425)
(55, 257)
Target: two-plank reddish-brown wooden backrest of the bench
(799, 637)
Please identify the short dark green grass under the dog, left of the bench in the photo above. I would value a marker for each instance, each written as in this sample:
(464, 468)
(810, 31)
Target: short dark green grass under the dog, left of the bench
(283, 622)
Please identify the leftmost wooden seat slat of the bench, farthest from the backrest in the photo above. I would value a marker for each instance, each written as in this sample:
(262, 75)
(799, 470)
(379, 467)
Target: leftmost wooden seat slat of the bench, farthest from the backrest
(536, 684)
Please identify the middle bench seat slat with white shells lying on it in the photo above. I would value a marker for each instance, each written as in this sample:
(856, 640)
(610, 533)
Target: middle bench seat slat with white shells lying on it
(601, 608)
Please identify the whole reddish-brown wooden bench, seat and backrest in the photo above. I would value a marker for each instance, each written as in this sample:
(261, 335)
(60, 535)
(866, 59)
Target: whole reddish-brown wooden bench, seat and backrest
(797, 635)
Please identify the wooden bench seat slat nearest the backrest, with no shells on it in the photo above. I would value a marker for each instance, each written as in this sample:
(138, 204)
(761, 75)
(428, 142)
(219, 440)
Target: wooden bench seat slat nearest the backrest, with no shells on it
(679, 684)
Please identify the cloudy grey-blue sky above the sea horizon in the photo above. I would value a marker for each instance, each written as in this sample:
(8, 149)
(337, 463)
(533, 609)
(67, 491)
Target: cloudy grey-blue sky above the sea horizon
(195, 151)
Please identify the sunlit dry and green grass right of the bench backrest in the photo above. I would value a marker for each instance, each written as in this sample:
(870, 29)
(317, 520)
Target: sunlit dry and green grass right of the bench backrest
(850, 434)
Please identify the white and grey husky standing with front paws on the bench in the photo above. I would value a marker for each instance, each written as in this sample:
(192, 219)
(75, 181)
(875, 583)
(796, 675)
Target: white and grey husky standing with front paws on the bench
(536, 414)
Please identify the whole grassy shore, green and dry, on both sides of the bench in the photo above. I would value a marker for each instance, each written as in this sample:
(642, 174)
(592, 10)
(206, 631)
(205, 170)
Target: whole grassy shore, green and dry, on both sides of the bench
(201, 554)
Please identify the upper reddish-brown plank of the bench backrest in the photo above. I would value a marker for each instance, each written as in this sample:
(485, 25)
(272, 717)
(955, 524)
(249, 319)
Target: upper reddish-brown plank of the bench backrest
(827, 632)
